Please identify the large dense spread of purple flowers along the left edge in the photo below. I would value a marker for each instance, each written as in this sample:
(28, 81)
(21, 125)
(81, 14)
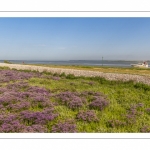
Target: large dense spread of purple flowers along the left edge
(18, 98)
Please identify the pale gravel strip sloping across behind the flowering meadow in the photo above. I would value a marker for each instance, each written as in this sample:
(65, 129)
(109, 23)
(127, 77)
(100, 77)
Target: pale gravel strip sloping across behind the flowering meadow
(109, 76)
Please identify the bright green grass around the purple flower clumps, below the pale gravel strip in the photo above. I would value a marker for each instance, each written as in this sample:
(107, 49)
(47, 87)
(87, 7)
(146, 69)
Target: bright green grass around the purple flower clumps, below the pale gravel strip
(121, 96)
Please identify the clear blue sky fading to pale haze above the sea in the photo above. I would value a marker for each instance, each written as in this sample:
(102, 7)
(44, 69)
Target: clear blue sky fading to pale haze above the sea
(74, 38)
